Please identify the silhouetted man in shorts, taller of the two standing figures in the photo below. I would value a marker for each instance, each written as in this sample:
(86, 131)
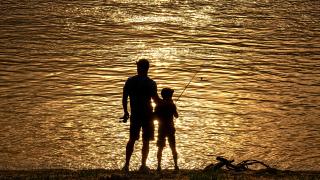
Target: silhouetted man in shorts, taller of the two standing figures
(140, 89)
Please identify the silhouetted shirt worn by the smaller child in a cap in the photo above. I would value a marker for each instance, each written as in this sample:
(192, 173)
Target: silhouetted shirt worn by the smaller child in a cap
(165, 111)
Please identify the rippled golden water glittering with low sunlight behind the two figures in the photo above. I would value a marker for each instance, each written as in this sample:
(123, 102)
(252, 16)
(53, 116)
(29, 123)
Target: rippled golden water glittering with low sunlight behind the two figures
(255, 95)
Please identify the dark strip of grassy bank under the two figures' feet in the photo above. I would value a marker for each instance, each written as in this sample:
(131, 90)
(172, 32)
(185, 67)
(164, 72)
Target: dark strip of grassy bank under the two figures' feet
(166, 174)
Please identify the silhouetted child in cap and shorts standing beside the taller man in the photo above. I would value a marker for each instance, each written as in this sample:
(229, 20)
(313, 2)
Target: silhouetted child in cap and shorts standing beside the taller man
(165, 112)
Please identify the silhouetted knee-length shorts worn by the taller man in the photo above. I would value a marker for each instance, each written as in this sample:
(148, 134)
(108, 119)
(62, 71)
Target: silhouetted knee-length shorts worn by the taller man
(147, 130)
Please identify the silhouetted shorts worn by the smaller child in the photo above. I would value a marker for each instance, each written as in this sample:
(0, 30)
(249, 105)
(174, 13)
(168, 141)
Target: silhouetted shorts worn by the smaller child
(166, 132)
